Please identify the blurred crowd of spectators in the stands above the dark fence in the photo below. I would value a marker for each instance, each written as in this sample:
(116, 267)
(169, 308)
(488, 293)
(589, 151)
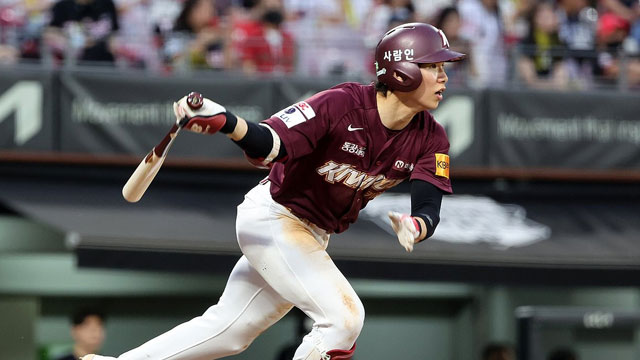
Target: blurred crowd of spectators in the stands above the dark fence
(547, 44)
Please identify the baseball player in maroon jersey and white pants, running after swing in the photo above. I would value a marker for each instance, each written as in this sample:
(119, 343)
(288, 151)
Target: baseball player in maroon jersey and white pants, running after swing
(329, 156)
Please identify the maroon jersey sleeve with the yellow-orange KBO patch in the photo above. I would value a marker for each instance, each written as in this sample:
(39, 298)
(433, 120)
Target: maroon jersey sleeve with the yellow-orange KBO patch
(433, 165)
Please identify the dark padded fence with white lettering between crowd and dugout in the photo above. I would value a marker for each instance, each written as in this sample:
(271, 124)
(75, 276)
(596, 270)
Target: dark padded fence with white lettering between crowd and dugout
(109, 113)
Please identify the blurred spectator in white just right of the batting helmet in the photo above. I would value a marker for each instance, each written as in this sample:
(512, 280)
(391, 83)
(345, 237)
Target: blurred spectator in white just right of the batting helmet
(482, 26)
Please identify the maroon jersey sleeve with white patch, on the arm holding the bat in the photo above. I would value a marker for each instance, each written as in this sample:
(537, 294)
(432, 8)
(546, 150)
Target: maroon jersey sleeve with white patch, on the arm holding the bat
(302, 125)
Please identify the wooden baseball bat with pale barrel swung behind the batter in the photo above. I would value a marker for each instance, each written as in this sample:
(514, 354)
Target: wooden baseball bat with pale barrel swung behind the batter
(148, 168)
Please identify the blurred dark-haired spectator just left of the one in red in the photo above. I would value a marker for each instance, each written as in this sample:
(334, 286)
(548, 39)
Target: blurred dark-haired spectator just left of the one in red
(197, 40)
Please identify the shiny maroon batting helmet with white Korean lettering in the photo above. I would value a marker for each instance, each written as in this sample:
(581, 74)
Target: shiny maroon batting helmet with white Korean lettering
(405, 46)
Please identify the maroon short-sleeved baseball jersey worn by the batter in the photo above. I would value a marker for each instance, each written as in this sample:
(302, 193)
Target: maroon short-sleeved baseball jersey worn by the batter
(340, 155)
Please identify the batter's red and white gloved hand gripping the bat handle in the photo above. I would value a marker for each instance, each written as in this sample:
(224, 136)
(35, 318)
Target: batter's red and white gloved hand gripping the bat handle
(198, 114)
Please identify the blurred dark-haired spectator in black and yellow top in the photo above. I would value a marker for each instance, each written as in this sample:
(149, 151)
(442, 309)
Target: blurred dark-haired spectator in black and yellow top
(541, 64)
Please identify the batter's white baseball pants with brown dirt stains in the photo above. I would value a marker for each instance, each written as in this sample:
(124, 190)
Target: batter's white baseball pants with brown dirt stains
(284, 265)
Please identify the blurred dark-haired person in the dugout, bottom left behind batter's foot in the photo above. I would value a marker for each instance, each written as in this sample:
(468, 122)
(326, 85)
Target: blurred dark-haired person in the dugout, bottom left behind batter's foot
(87, 332)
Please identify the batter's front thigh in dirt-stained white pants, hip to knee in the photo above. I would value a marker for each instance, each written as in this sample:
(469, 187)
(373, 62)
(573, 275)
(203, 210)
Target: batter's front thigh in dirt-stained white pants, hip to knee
(293, 262)
